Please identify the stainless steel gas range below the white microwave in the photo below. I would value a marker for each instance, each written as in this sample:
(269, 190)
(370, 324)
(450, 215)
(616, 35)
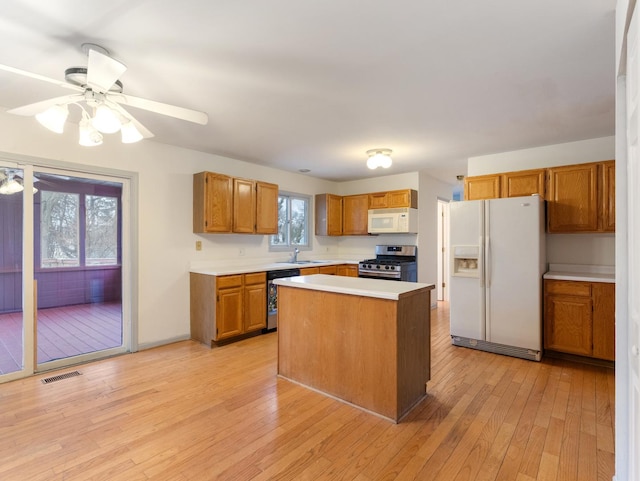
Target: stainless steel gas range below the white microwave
(396, 263)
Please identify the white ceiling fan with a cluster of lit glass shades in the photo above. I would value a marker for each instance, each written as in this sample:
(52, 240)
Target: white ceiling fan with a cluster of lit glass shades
(98, 94)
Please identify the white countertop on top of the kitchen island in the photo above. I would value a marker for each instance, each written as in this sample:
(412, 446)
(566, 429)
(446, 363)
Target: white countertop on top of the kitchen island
(356, 286)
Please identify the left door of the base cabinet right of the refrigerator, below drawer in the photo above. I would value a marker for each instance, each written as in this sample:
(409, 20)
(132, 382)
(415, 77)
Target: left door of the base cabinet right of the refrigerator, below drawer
(567, 324)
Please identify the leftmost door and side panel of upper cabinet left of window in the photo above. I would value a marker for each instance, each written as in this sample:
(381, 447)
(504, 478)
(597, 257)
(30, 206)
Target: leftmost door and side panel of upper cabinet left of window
(212, 202)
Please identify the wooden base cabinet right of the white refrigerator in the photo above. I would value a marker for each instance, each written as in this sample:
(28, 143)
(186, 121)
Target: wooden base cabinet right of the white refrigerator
(579, 318)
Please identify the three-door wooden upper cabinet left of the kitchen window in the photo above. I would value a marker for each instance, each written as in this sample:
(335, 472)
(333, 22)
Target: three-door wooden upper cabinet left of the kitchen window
(223, 204)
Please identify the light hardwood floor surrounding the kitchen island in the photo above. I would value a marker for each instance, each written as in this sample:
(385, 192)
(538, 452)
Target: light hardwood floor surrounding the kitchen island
(185, 412)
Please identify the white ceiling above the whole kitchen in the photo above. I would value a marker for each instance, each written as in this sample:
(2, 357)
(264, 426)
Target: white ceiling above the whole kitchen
(302, 84)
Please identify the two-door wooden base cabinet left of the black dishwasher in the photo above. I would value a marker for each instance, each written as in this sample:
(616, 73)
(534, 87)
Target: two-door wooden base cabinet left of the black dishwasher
(225, 307)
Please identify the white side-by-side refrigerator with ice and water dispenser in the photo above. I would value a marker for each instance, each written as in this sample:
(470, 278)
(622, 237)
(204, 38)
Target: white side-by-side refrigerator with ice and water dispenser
(497, 262)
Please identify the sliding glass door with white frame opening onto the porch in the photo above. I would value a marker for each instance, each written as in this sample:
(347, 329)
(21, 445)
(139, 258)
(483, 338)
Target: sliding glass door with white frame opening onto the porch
(65, 297)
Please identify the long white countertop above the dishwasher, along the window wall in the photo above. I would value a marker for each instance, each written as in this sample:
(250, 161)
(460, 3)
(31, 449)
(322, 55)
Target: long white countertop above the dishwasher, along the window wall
(224, 268)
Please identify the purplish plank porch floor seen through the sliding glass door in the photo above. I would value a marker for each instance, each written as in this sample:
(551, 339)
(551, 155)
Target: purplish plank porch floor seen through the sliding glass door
(62, 332)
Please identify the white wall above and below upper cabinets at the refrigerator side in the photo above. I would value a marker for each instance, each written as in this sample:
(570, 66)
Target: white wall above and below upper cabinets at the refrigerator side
(593, 249)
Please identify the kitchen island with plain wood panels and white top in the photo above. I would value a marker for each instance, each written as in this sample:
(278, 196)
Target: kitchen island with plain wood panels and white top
(363, 341)
